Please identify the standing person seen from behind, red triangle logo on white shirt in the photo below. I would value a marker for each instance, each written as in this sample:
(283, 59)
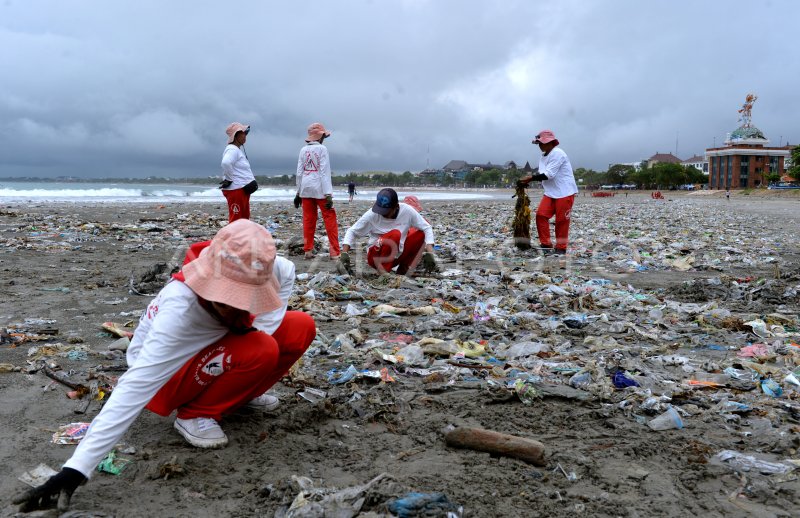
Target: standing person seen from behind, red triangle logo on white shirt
(315, 191)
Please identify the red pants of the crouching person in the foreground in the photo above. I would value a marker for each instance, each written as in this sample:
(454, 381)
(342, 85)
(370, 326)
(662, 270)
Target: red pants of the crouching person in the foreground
(229, 373)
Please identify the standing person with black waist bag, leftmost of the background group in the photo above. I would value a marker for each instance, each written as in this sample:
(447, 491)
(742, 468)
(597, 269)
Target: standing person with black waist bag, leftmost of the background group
(238, 182)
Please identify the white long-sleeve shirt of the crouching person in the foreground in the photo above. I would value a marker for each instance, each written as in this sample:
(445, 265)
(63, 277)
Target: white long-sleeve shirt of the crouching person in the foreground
(172, 330)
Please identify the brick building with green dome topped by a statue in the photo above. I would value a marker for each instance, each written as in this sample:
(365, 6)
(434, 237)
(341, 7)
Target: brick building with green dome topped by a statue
(746, 160)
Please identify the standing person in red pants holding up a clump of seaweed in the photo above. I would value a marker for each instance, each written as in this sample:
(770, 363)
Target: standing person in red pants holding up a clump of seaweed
(555, 173)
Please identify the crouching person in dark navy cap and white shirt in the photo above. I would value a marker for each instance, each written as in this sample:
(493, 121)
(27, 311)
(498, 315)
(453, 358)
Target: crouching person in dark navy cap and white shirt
(389, 225)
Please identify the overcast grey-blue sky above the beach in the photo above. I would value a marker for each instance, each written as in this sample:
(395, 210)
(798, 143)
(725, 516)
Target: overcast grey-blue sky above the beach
(138, 88)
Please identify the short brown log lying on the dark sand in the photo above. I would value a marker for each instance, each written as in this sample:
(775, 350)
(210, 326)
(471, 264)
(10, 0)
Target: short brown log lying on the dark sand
(497, 443)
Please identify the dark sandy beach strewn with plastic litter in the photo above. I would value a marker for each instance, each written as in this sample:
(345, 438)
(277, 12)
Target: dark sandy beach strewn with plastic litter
(659, 289)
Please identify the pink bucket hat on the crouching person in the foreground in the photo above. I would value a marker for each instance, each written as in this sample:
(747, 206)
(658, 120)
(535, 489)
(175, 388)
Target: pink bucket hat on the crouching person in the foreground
(236, 269)
